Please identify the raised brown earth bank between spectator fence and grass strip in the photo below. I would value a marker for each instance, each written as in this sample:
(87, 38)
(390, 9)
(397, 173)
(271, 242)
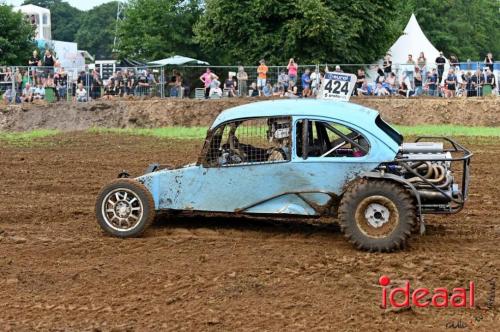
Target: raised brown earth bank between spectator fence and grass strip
(169, 112)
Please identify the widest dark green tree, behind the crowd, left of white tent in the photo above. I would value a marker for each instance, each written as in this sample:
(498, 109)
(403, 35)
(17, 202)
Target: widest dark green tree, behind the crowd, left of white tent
(312, 31)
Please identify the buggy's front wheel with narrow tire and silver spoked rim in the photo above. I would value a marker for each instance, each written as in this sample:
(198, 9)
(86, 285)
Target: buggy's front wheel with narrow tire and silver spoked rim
(125, 208)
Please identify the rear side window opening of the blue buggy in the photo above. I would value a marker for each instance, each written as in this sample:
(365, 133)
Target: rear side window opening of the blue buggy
(329, 139)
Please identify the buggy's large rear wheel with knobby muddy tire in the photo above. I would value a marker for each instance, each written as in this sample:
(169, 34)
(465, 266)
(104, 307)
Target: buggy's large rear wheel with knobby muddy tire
(377, 215)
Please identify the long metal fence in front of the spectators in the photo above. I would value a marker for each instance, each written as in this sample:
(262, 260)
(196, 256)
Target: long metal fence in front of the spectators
(26, 84)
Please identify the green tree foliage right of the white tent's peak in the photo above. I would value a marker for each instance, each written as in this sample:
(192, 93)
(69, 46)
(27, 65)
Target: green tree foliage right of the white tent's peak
(466, 28)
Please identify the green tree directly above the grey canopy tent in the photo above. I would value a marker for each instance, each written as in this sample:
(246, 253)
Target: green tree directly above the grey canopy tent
(153, 29)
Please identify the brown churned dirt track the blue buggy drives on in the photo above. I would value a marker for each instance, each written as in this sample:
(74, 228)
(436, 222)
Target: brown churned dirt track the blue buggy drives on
(59, 272)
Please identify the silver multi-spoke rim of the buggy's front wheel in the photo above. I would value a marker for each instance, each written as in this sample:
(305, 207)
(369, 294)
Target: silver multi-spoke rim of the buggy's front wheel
(122, 209)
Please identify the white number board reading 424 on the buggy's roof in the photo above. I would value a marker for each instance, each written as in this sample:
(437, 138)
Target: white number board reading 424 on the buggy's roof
(337, 86)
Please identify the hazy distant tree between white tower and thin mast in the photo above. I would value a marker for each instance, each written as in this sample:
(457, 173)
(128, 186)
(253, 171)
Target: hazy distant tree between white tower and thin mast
(97, 30)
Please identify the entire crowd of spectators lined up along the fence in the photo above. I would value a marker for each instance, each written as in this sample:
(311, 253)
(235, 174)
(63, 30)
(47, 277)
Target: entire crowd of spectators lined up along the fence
(45, 78)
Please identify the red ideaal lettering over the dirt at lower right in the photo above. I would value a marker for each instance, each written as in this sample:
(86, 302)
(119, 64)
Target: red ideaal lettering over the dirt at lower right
(419, 297)
